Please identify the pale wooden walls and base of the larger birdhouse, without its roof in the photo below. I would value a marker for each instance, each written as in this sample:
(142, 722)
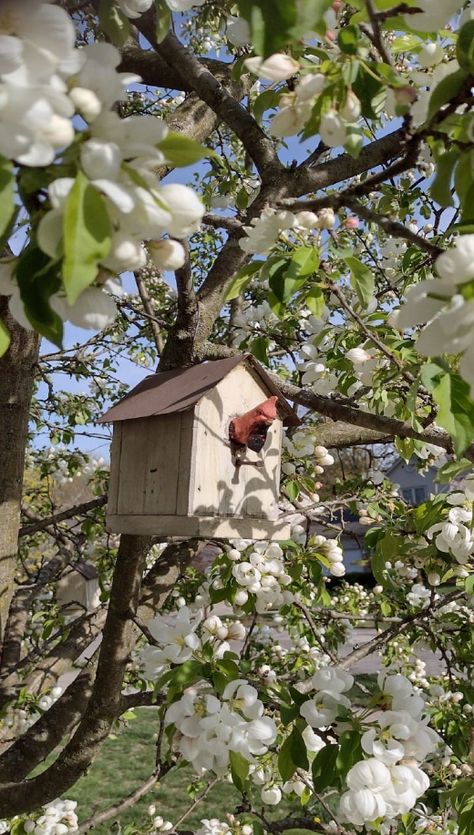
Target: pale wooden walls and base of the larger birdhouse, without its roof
(173, 474)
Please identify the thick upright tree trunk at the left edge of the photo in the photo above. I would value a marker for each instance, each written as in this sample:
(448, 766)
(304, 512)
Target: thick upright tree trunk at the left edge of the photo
(16, 387)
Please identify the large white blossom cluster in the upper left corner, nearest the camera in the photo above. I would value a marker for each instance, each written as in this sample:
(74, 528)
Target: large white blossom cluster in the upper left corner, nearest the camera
(46, 83)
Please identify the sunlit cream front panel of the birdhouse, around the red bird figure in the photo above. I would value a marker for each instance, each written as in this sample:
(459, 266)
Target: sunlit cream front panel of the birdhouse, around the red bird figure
(218, 487)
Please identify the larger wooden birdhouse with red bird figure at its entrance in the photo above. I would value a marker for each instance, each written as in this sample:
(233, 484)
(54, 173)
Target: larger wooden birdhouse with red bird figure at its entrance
(196, 452)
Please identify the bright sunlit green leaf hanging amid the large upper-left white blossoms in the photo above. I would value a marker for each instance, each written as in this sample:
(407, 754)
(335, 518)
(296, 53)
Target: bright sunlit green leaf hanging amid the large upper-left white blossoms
(87, 236)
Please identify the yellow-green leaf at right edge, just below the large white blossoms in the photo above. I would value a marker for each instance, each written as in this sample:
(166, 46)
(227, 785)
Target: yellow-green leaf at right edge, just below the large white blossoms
(455, 407)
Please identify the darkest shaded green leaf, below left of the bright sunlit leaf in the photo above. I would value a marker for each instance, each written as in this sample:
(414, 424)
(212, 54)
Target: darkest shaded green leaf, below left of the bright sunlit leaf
(38, 278)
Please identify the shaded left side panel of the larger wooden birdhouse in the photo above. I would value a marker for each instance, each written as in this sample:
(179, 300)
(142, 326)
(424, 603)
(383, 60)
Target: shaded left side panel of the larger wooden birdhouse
(149, 463)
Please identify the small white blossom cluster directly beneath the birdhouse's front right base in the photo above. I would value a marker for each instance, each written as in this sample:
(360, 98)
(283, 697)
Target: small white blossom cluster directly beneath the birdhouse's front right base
(262, 573)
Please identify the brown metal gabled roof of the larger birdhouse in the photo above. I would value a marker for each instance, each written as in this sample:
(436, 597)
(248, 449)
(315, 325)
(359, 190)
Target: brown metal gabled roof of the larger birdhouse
(168, 392)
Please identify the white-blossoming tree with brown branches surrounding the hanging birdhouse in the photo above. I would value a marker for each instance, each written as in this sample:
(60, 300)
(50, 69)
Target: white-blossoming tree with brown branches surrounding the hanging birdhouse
(349, 272)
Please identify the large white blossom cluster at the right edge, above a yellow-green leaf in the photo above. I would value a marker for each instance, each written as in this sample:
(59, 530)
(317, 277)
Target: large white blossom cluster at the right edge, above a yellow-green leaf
(445, 304)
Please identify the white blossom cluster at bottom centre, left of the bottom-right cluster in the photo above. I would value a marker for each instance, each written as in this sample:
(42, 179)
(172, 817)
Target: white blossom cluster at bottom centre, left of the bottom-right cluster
(208, 728)
